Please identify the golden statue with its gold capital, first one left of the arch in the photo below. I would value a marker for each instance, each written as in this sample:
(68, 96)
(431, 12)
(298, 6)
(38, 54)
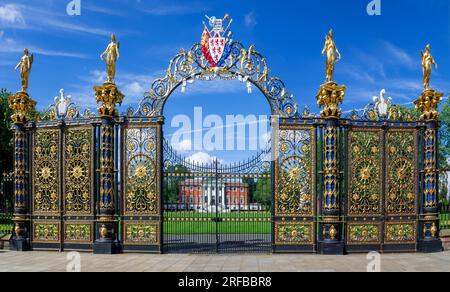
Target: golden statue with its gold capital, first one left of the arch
(108, 95)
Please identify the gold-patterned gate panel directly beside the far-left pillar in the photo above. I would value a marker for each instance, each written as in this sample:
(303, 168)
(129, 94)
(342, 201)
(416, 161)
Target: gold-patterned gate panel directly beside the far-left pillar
(46, 187)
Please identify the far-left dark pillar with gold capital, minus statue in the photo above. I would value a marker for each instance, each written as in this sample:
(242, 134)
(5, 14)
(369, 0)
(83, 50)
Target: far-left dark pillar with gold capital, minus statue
(21, 104)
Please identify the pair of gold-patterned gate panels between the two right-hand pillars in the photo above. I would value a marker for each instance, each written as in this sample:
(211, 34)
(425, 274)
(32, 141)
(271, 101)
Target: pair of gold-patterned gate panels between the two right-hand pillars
(382, 193)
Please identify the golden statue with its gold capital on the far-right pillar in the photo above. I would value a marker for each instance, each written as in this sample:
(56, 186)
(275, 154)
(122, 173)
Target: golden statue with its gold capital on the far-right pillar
(429, 100)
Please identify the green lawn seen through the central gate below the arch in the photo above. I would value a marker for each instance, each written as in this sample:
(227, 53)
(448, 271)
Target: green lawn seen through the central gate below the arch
(229, 223)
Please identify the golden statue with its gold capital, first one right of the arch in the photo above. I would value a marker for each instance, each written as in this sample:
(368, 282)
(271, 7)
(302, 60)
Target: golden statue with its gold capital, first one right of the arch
(331, 94)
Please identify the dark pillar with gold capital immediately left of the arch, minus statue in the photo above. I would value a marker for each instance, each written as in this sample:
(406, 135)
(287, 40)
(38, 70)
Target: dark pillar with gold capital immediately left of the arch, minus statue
(106, 221)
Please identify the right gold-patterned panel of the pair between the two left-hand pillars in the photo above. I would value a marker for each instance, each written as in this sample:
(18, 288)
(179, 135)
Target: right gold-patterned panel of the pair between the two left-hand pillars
(78, 185)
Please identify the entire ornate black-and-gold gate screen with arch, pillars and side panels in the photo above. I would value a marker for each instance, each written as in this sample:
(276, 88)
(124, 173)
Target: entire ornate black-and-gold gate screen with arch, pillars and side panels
(340, 184)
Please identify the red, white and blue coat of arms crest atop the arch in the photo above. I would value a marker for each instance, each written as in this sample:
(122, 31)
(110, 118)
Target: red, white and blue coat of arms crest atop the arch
(216, 41)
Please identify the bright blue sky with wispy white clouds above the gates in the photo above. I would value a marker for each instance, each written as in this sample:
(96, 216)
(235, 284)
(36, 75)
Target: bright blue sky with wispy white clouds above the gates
(378, 51)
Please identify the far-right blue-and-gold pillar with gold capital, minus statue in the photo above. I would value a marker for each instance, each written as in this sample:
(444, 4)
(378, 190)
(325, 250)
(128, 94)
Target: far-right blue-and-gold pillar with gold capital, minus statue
(429, 216)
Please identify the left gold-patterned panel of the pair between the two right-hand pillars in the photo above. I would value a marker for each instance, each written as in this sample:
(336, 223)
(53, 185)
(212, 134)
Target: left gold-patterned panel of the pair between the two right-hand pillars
(365, 187)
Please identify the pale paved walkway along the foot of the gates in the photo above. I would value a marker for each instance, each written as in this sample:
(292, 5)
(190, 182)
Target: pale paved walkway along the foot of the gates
(58, 262)
